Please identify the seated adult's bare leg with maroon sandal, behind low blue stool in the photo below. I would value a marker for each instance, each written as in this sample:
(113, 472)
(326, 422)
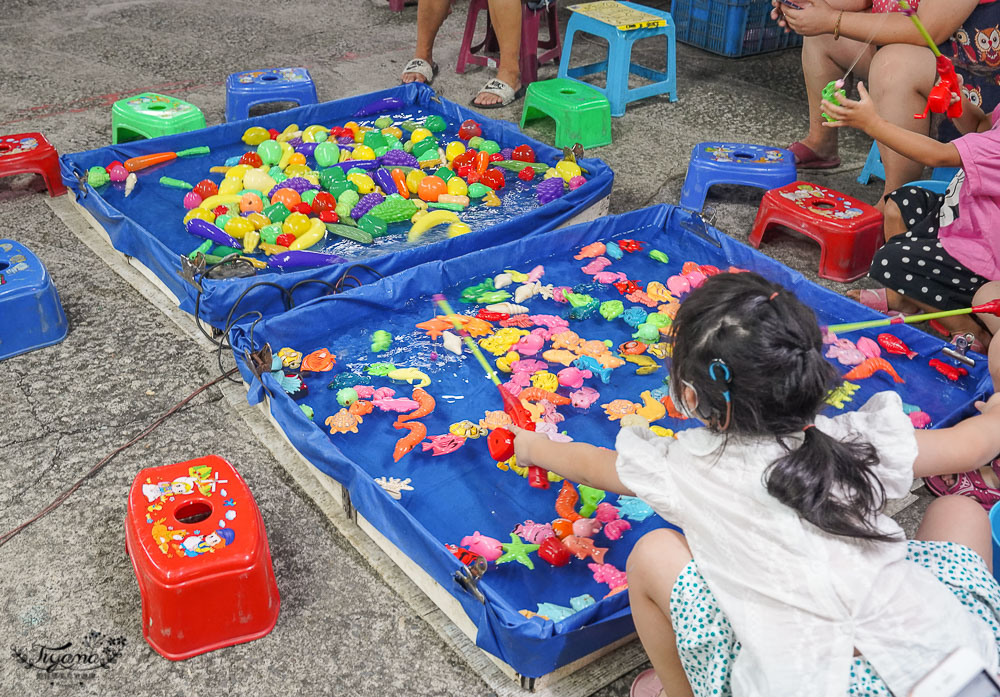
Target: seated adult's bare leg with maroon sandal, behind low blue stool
(824, 60)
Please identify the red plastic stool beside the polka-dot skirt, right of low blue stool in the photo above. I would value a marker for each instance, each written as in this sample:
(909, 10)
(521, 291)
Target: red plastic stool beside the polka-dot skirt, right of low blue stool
(848, 231)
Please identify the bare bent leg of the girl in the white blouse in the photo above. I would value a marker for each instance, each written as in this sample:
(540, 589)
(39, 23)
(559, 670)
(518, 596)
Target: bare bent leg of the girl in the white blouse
(653, 566)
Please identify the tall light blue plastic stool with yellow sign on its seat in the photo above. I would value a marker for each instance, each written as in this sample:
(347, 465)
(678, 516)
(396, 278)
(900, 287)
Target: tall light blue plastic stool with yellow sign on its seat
(619, 63)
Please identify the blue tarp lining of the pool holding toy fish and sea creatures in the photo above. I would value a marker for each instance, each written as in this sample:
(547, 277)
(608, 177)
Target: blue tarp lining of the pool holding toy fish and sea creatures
(457, 494)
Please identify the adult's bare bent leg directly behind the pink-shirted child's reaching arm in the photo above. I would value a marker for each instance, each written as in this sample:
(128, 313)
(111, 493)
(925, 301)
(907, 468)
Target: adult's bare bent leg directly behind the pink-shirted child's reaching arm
(901, 76)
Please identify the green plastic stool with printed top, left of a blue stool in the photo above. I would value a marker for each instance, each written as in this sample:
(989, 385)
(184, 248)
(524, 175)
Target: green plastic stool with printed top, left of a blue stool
(149, 115)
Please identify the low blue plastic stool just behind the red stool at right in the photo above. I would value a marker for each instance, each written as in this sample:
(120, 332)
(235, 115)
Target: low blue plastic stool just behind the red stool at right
(734, 163)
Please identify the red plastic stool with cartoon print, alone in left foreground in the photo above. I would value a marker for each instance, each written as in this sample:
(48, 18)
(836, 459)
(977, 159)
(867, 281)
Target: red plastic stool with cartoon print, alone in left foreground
(200, 555)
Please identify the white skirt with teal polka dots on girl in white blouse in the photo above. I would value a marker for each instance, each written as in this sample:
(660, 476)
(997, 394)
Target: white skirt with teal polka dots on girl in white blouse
(708, 648)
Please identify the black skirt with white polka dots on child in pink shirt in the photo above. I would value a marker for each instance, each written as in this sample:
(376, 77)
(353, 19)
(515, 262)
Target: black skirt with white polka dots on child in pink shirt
(915, 264)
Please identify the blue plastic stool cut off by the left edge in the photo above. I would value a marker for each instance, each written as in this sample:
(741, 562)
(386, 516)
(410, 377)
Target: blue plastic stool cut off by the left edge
(29, 304)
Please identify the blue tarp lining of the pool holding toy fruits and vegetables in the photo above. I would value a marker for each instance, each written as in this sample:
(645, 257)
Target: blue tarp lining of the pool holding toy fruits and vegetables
(147, 224)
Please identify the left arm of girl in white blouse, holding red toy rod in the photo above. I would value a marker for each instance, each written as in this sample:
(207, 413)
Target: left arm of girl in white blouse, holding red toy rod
(579, 462)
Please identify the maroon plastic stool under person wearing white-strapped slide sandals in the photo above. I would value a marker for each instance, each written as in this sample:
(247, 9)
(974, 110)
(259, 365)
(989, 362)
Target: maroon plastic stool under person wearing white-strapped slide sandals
(530, 44)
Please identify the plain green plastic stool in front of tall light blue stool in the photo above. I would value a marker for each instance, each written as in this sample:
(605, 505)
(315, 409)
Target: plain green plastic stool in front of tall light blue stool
(582, 114)
